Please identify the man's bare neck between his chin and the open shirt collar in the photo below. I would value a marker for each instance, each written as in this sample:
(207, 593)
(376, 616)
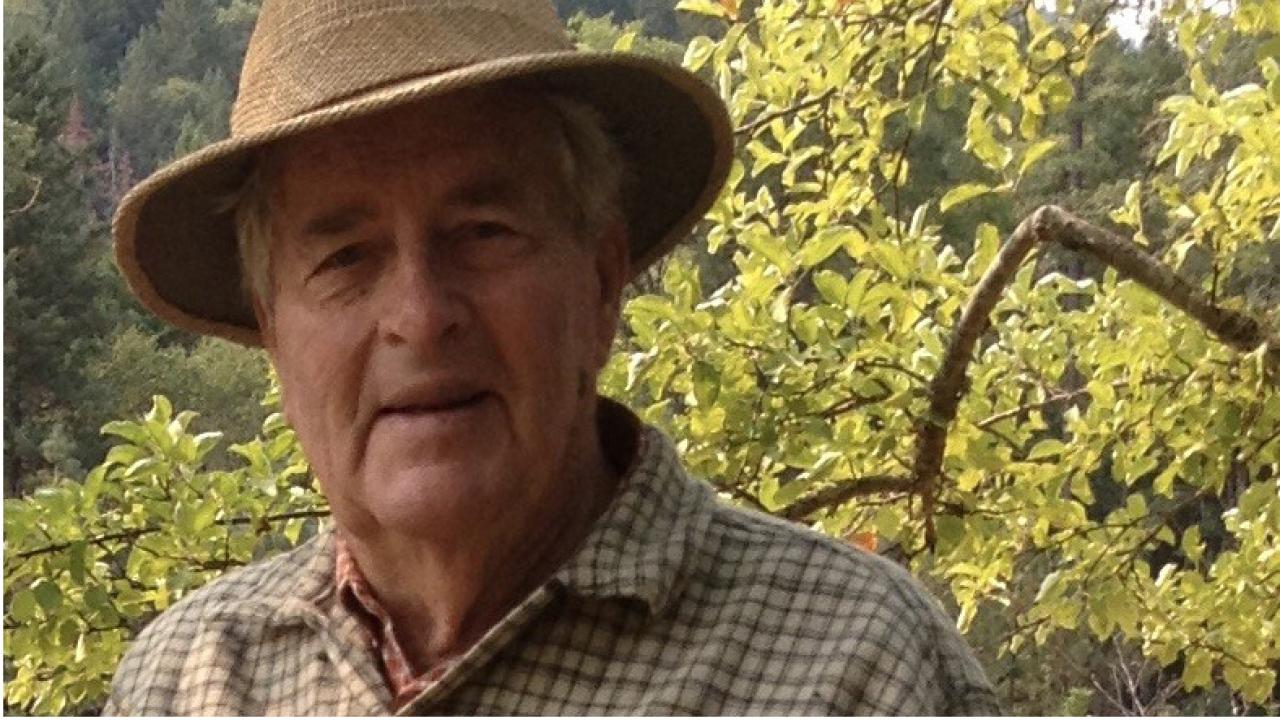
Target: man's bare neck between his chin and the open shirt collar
(445, 595)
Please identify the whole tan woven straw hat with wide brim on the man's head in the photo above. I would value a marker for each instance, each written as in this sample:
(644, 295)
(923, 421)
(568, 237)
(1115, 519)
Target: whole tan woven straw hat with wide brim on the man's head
(314, 63)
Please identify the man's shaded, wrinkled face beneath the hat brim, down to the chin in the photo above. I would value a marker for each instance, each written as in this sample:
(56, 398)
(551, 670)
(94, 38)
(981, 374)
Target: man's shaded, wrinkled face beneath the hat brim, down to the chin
(437, 325)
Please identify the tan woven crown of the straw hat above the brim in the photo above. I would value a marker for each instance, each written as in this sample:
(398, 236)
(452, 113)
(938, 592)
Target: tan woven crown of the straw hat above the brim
(309, 54)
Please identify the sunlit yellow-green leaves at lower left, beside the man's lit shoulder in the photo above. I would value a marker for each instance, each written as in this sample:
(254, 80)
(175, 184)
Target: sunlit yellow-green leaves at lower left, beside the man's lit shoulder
(88, 563)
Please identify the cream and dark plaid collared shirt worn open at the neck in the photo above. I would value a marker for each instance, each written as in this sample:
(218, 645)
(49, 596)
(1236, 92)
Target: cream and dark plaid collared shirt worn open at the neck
(674, 605)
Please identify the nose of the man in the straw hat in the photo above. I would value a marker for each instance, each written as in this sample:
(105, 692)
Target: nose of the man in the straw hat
(423, 304)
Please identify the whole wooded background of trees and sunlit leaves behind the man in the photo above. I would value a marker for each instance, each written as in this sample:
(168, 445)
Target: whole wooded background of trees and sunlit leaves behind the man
(1071, 427)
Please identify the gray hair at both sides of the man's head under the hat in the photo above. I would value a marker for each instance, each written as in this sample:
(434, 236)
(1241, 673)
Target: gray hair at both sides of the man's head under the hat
(592, 171)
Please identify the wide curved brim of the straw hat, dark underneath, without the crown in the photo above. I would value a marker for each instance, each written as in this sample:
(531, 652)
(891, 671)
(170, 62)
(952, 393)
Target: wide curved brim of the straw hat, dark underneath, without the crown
(176, 240)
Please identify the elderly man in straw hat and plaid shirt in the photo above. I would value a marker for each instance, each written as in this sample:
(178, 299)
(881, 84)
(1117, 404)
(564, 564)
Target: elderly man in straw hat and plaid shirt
(427, 215)
